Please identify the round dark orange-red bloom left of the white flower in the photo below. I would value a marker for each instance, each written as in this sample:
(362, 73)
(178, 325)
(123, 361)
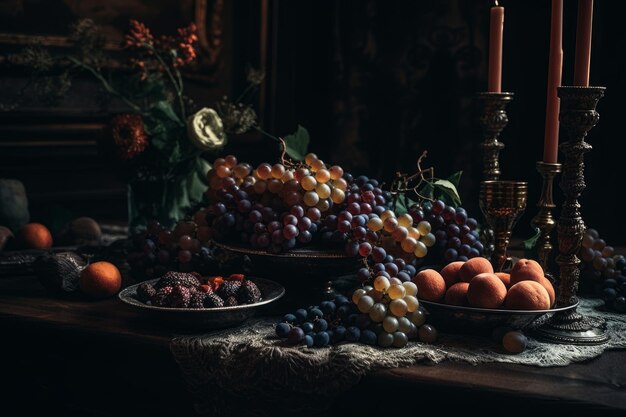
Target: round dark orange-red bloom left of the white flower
(128, 134)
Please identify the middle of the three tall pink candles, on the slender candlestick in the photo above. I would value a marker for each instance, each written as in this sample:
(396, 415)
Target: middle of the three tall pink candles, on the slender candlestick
(555, 66)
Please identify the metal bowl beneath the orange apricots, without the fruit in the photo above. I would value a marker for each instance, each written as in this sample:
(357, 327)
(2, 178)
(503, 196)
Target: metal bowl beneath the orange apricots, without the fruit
(461, 319)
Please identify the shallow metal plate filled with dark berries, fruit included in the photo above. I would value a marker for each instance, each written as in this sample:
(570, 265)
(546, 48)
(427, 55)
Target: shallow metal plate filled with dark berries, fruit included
(188, 301)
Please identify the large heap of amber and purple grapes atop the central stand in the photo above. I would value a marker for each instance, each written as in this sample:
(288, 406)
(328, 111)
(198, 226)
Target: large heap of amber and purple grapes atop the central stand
(274, 207)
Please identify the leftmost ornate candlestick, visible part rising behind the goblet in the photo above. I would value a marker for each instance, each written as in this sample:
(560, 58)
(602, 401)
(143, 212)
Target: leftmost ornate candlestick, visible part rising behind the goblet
(493, 120)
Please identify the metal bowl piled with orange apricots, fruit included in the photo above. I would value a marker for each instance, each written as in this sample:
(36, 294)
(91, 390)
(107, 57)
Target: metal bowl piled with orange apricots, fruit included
(469, 297)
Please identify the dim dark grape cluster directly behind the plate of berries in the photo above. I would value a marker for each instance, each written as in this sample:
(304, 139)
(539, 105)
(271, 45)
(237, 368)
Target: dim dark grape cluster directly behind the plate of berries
(159, 250)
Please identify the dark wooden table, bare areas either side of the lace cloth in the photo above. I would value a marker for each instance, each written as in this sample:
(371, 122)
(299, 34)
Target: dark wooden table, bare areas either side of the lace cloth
(98, 358)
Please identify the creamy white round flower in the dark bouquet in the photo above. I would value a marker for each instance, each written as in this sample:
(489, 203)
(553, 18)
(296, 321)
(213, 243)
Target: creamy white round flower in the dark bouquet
(206, 130)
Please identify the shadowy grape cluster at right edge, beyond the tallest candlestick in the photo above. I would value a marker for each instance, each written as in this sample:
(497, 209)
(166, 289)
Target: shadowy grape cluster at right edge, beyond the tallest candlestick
(604, 269)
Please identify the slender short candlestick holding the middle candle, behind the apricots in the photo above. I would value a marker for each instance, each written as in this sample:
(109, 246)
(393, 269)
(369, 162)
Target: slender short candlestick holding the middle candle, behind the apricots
(544, 220)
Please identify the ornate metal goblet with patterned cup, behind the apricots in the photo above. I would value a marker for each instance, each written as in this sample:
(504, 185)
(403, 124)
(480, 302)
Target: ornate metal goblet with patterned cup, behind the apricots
(502, 204)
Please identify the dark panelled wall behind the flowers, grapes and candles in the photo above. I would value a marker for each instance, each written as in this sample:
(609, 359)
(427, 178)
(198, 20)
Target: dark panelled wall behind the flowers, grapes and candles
(374, 82)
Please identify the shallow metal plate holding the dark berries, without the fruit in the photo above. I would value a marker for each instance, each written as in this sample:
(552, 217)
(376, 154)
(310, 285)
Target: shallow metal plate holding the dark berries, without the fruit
(204, 318)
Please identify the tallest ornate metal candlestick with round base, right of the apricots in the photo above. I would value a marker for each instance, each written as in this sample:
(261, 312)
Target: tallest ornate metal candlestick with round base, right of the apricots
(578, 115)
